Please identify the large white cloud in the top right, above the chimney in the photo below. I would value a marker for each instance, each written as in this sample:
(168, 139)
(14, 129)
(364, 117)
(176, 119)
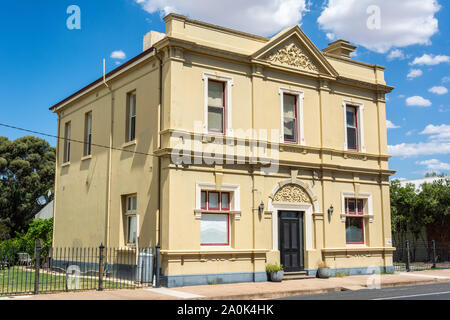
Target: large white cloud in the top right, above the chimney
(401, 23)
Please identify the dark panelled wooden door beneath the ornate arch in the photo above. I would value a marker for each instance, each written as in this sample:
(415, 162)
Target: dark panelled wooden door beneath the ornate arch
(291, 240)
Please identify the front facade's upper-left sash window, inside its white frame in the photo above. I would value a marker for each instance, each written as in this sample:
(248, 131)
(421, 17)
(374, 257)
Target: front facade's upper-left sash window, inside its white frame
(216, 106)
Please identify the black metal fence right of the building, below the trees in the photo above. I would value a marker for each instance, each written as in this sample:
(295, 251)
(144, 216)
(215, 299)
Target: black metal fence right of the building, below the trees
(421, 255)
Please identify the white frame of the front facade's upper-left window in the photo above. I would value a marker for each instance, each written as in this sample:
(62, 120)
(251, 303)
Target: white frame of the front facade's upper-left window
(228, 102)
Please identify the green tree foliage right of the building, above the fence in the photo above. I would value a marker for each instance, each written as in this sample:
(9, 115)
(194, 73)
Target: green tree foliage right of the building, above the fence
(427, 207)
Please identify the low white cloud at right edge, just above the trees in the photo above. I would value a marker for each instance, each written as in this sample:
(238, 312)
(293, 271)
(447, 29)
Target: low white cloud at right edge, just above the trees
(438, 143)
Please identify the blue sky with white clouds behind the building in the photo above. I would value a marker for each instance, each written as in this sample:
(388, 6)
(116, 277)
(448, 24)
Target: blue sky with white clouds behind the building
(42, 61)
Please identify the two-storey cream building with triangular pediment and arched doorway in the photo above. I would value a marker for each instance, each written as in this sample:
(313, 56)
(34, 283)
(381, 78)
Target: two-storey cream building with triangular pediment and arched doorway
(231, 151)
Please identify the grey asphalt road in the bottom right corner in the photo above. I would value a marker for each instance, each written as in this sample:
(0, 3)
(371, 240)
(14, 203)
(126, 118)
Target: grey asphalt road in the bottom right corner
(439, 291)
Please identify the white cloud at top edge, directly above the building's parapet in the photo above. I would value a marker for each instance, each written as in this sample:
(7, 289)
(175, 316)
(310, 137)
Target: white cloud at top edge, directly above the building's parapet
(264, 17)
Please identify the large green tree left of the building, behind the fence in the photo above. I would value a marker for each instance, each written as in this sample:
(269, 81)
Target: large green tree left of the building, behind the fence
(27, 169)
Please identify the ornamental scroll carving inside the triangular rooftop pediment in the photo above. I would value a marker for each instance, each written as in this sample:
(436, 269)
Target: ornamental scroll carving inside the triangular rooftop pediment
(292, 55)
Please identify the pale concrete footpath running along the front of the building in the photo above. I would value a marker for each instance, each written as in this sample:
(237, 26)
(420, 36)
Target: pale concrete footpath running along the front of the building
(257, 291)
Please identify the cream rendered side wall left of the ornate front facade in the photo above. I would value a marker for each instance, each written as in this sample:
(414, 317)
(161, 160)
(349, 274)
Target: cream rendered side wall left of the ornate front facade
(82, 205)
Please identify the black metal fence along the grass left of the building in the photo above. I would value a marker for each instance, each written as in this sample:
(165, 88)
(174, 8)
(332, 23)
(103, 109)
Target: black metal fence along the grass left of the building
(74, 269)
